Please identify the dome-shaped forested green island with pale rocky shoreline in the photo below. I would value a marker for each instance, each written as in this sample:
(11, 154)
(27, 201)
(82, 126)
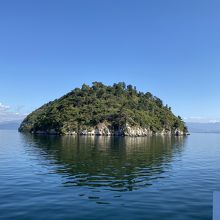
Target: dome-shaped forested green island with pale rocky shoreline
(101, 110)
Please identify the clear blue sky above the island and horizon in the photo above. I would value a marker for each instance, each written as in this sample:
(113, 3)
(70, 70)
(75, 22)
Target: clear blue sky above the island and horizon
(170, 48)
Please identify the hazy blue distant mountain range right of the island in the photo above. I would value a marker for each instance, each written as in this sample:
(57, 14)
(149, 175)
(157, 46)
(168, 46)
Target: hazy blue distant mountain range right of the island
(203, 127)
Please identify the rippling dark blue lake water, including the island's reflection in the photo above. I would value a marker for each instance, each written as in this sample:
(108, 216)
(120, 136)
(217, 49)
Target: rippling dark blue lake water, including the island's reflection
(157, 178)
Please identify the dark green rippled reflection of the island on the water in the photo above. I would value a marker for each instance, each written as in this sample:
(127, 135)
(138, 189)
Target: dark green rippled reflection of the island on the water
(115, 163)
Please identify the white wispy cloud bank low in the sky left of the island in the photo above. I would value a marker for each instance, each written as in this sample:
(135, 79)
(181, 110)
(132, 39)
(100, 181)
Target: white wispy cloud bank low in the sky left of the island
(7, 114)
